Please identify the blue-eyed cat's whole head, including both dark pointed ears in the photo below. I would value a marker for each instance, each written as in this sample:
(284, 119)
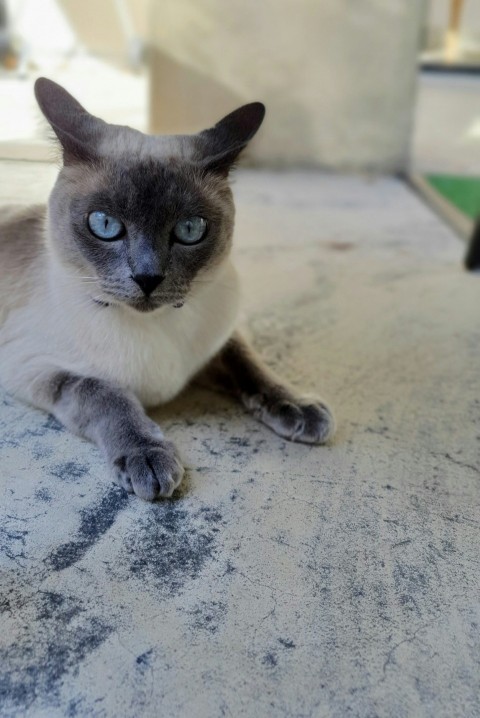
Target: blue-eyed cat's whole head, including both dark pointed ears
(139, 218)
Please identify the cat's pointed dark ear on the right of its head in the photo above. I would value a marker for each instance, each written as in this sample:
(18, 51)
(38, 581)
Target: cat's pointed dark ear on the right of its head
(221, 145)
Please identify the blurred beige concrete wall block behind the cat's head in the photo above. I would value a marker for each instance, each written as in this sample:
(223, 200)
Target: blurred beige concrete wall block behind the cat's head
(337, 76)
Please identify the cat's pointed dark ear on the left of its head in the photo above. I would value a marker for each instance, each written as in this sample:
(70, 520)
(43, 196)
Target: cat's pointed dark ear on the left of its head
(78, 131)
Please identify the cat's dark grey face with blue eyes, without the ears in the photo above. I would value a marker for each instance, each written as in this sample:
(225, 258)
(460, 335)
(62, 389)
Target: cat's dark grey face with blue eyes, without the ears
(140, 232)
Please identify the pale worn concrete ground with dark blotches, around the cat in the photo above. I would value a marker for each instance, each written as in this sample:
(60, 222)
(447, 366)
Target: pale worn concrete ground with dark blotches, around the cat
(282, 580)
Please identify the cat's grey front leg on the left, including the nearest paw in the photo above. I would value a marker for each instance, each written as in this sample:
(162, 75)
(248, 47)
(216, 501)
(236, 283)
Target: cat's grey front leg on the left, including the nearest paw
(142, 460)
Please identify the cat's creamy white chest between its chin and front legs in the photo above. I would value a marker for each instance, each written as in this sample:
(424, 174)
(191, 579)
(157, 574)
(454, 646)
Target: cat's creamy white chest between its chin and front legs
(156, 354)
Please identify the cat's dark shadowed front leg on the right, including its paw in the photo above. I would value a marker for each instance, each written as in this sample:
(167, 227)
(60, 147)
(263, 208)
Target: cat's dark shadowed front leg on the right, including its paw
(238, 370)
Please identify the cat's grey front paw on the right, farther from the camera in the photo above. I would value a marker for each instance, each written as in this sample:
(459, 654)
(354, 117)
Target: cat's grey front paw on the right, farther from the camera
(307, 420)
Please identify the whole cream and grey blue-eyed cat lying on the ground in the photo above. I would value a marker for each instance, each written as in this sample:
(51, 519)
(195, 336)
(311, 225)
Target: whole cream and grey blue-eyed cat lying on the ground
(121, 291)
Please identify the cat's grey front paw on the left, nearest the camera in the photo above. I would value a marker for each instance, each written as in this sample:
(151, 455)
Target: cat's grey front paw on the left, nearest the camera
(150, 471)
